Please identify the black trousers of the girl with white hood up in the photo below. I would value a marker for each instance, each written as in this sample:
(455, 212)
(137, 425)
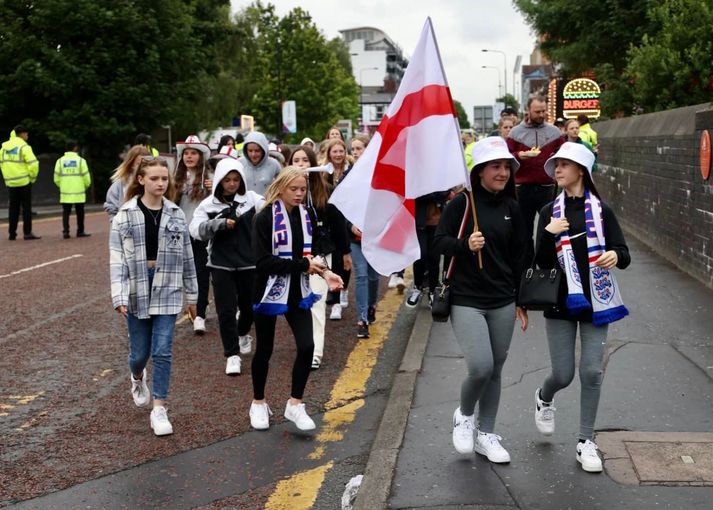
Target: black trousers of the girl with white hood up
(233, 290)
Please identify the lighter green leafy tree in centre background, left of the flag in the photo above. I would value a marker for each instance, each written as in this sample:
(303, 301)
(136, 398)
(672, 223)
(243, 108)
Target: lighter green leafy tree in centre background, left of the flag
(296, 62)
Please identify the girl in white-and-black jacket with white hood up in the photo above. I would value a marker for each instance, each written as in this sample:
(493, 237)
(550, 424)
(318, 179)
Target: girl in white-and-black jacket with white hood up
(224, 221)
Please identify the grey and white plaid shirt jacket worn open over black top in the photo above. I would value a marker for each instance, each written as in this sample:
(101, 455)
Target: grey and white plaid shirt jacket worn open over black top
(175, 269)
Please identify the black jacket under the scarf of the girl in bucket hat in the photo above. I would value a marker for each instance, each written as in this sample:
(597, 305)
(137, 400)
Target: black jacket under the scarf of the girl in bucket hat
(546, 254)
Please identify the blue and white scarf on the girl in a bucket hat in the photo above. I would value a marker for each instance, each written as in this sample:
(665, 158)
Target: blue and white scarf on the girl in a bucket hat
(608, 305)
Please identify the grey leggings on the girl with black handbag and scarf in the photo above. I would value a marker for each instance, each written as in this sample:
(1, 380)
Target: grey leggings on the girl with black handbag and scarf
(561, 337)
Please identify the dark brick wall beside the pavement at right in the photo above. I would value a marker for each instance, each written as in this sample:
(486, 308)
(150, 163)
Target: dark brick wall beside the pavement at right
(650, 175)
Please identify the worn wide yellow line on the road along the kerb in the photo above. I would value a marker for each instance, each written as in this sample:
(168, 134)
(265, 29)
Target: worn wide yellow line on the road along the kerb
(299, 491)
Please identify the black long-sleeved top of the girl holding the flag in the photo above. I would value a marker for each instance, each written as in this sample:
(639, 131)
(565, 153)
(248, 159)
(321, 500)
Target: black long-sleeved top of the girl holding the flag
(501, 223)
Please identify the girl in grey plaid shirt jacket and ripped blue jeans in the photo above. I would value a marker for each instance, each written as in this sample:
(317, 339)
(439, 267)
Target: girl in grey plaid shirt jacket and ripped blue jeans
(151, 266)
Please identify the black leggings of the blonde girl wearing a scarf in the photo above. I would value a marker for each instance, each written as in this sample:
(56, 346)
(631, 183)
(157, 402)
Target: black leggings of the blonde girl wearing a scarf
(300, 322)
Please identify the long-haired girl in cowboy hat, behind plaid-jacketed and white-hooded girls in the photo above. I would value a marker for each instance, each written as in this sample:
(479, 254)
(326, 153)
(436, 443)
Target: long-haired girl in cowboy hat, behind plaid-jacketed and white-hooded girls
(193, 184)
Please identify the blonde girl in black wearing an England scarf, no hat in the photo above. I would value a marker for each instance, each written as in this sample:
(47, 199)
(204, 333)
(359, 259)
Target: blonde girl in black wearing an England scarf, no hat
(282, 241)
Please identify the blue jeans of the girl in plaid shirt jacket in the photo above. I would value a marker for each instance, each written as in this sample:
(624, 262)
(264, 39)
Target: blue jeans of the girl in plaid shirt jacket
(152, 337)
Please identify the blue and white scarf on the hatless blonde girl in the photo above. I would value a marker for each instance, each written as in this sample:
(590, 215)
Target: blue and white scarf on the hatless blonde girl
(277, 290)
